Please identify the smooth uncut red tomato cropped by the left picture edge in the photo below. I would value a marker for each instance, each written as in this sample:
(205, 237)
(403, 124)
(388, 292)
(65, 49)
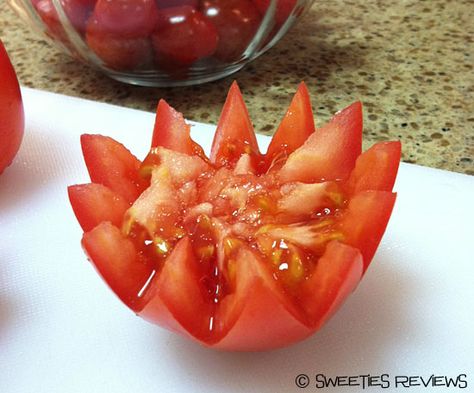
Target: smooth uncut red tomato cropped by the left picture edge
(12, 118)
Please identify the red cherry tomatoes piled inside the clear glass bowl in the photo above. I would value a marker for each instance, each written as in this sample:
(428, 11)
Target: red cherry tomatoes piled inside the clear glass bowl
(168, 34)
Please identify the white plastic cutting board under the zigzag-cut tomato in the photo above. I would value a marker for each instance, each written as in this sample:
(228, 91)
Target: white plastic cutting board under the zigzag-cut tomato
(62, 330)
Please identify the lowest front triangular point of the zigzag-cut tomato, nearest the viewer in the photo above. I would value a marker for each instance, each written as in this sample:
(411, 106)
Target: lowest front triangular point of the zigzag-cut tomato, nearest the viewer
(258, 315)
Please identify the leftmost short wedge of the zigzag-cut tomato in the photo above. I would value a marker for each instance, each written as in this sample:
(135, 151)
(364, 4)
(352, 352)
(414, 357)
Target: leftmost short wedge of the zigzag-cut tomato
(93, 203)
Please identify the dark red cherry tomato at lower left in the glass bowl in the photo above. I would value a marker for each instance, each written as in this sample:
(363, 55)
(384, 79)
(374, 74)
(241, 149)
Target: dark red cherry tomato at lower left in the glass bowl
(119, 52)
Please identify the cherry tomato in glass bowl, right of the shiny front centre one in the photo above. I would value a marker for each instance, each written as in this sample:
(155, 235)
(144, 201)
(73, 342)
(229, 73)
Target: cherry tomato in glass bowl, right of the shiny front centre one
(236, 21)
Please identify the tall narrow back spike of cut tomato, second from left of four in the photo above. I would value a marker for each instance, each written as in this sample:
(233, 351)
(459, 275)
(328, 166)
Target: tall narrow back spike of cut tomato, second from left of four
(235, 134)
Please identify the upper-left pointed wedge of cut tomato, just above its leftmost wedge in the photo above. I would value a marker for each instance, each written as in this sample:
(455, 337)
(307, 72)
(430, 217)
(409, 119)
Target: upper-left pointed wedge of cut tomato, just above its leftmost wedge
(111, 164)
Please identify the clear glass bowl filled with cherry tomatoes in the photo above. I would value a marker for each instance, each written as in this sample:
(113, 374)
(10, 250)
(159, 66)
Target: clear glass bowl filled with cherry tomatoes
(163, 42)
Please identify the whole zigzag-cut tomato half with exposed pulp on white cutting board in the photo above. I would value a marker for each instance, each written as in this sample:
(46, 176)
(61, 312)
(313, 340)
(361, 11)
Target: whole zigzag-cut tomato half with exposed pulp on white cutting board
(241, 250)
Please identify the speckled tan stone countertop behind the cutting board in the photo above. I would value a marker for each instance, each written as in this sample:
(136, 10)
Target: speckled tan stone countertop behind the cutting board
(411, 63)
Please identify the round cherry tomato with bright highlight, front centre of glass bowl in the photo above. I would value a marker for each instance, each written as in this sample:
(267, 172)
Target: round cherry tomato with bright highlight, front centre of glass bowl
(183, 36)
